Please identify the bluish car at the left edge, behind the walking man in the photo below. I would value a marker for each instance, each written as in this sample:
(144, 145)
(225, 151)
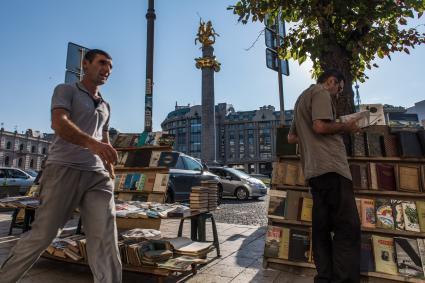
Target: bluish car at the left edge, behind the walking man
(15, 177)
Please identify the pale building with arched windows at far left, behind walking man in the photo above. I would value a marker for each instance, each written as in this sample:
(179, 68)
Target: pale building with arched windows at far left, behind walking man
(25, 151)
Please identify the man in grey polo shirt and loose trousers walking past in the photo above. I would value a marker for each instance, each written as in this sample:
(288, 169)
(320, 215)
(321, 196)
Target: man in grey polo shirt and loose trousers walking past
(77, 174)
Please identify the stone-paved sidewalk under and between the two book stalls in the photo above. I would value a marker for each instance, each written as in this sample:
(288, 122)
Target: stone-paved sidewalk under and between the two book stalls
(241, 259)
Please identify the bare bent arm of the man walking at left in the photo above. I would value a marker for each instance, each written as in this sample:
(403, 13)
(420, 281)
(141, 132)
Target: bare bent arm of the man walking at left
(68, 131)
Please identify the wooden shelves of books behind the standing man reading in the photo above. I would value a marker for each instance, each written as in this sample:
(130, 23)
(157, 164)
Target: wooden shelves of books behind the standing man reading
(388, 170)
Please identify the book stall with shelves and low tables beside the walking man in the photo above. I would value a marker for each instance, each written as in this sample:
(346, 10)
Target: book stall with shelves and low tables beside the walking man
(141, 179)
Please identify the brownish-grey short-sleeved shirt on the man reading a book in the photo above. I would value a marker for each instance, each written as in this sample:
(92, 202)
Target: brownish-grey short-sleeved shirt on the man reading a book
(320, 153)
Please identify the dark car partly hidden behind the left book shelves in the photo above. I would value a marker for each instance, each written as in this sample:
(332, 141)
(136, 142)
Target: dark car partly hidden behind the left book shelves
(186, 173)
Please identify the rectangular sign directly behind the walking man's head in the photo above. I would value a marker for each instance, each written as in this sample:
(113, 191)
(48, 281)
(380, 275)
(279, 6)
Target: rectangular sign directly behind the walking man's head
(74, 61)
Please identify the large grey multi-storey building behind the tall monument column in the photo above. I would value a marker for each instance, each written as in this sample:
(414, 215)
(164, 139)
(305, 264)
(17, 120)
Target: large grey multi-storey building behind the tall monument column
(243, 139)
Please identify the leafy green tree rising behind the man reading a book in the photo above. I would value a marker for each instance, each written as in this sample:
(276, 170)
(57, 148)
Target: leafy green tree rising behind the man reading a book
(346, 35)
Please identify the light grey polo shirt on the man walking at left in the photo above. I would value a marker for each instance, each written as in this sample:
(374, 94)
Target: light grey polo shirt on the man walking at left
(88, 117)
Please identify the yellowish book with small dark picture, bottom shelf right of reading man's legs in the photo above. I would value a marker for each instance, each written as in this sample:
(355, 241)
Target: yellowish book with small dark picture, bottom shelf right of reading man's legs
(384, 254)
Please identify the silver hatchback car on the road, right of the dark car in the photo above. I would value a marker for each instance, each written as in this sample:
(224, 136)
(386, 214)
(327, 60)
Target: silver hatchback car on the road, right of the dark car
(239, 184)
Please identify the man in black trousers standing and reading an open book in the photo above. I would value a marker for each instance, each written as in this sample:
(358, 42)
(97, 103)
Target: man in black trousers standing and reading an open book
(326, 169)
